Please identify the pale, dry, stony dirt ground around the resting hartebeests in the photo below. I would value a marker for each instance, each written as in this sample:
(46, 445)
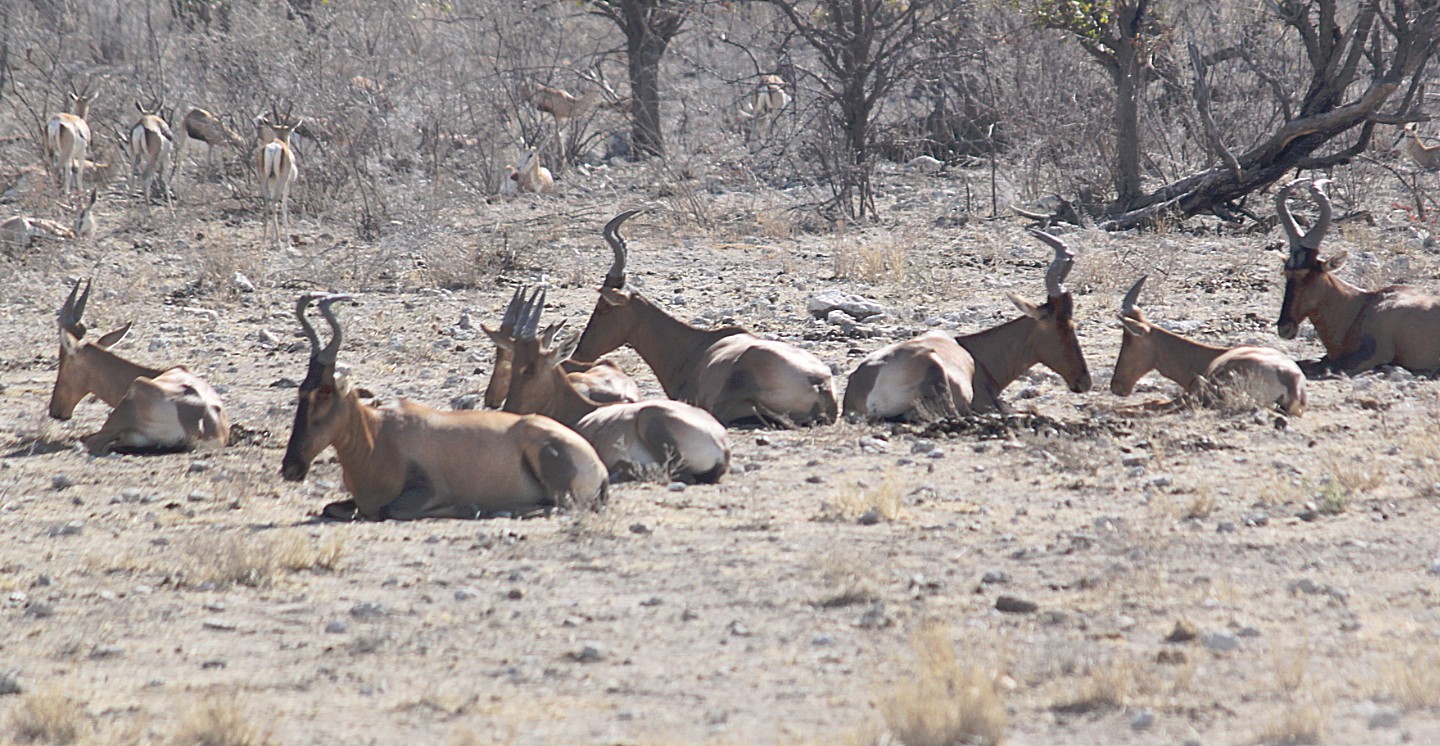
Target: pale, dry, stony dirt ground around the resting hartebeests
(165, 600)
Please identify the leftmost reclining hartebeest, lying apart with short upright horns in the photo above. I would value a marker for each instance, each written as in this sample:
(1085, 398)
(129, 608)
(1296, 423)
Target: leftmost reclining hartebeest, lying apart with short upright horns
(155, 410)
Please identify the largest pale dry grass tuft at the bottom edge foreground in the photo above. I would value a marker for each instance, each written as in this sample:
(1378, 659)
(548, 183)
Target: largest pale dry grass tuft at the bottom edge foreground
(947, 702)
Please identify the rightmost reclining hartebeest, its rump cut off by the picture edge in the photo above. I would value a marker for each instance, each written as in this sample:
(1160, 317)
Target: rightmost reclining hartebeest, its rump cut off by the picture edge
(1395, 326)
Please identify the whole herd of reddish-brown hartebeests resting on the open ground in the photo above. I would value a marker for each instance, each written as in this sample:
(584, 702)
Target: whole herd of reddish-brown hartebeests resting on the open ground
(562, 423)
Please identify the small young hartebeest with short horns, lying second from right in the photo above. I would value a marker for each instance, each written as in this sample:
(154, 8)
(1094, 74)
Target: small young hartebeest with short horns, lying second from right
(1207, 374)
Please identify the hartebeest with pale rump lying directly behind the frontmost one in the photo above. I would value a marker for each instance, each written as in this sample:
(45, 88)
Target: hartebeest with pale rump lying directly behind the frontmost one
(639, 440)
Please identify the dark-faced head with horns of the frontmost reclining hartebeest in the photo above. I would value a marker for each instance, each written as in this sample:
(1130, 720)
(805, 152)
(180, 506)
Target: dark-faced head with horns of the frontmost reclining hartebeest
(320, 413)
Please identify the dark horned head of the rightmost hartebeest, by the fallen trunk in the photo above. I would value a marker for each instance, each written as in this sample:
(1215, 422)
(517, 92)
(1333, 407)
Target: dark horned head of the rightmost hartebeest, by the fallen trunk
(1304, 267)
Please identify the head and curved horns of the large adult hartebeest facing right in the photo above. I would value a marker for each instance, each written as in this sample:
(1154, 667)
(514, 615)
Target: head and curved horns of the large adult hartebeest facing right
(1055, 333)
